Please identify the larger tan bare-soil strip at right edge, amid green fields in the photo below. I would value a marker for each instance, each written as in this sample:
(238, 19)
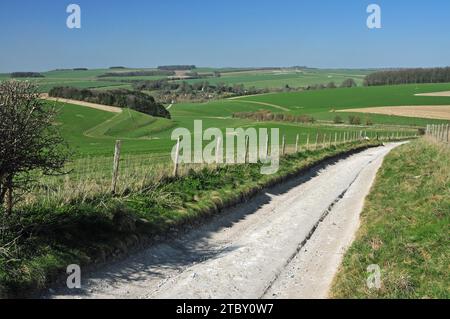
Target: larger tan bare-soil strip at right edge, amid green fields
(441, 112)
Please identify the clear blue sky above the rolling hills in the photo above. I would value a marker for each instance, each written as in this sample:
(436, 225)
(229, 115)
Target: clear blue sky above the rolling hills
(146, 33)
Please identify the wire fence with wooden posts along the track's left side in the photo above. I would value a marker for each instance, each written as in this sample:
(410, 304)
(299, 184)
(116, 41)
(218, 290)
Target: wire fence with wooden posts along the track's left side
(124, 173)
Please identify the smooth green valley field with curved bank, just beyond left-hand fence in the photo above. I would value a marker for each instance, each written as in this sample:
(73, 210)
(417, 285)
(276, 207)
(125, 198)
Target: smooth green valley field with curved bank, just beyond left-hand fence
(91, 132)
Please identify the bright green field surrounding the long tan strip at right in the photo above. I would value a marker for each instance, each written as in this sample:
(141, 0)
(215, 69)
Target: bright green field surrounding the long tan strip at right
(321, 104)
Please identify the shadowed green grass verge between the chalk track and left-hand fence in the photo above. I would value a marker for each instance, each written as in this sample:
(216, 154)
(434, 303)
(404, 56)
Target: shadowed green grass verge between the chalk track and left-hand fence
(39, 242)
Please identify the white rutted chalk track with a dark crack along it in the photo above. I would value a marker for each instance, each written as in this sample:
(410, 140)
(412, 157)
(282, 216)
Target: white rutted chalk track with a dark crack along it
(287, 243)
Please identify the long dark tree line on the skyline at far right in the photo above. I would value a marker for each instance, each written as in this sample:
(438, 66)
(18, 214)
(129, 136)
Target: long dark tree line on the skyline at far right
(408, 76)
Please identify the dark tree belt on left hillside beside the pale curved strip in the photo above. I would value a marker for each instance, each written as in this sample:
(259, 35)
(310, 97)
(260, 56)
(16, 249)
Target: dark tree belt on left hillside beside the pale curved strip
(135, 100)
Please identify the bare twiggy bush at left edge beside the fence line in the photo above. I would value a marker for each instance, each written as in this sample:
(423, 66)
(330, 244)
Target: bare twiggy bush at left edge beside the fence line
(29, 140)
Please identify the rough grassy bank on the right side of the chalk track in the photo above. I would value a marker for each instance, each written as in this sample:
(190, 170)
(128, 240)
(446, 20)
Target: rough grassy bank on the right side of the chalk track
(404, 228)
